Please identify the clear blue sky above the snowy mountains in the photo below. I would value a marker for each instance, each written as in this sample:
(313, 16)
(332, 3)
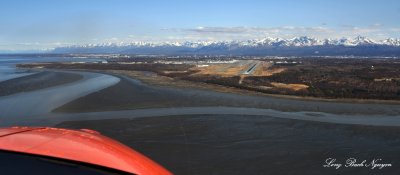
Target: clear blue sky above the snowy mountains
(40, 24)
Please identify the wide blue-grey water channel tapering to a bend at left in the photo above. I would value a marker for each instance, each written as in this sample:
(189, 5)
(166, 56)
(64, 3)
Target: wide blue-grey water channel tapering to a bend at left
(42, 101)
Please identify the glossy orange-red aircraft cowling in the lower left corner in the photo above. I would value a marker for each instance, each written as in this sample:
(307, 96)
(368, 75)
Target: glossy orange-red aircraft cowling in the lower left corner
(79, 145)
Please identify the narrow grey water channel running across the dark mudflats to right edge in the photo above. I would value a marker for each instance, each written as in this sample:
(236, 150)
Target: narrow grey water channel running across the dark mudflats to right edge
(306, 116)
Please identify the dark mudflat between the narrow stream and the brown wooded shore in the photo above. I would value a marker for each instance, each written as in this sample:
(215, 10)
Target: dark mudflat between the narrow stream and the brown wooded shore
(133, 94)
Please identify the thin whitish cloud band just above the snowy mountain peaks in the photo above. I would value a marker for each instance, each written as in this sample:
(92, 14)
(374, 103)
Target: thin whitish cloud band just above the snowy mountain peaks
(374, 31)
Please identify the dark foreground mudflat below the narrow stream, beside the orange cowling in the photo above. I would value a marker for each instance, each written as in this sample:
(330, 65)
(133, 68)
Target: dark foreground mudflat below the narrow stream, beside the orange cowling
(242, 144)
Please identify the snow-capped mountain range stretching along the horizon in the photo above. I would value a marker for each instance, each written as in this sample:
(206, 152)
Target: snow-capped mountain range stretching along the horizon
(266, 46)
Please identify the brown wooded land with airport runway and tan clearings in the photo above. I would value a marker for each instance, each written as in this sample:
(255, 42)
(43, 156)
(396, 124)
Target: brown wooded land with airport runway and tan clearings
(320, 78)
